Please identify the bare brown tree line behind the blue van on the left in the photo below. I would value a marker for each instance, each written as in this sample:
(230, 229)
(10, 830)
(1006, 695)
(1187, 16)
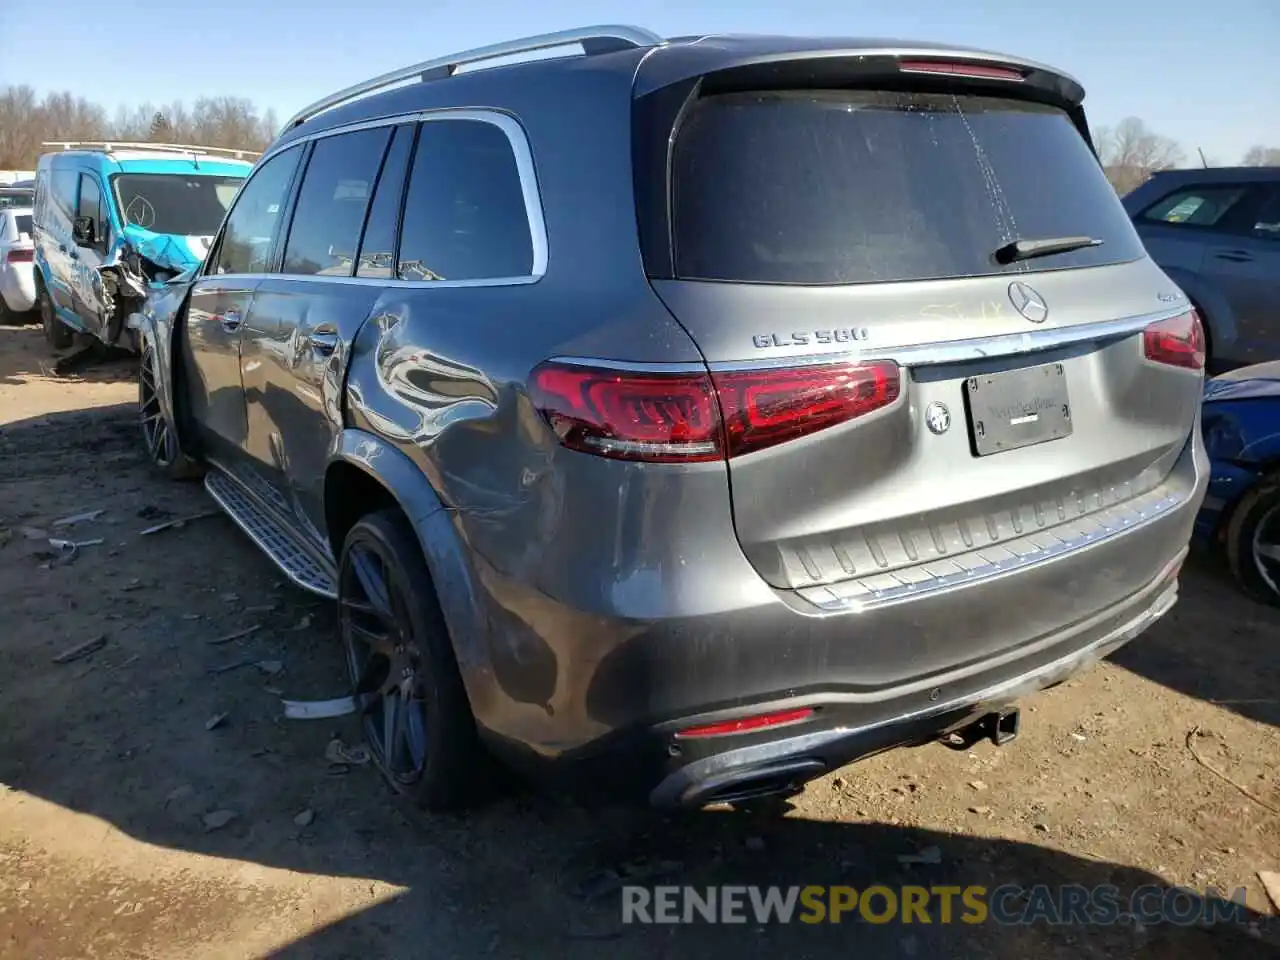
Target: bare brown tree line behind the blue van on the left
(29, 121)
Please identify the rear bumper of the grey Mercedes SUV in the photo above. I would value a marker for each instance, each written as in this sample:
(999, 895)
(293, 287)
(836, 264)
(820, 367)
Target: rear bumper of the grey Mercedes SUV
(595, 703)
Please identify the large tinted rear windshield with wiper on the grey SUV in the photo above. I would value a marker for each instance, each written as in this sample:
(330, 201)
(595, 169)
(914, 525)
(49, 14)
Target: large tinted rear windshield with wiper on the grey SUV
(822, 188)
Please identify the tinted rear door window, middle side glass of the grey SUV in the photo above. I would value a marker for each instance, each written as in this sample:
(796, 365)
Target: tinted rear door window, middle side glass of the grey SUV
(332, 202)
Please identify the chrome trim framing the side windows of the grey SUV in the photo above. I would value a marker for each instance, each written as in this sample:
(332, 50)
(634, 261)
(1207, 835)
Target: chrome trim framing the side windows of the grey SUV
(525, 170)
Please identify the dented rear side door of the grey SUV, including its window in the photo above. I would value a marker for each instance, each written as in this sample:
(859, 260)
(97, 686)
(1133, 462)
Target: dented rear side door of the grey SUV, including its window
(304, 317)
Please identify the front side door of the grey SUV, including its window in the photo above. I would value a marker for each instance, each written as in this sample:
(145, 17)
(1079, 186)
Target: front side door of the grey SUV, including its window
(221, 301)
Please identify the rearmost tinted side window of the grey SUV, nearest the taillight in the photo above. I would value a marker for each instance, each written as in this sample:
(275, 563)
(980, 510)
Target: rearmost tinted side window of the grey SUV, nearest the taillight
(465, 213)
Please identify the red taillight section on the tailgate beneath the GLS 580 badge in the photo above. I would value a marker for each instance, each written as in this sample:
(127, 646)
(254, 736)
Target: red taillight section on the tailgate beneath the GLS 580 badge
(767, 408)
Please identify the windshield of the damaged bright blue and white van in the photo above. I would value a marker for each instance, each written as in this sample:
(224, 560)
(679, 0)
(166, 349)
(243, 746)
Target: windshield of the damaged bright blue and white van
(179, 204)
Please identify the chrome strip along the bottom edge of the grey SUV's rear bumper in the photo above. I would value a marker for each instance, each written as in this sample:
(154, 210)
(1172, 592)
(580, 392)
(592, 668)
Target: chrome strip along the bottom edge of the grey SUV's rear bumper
(685, 781)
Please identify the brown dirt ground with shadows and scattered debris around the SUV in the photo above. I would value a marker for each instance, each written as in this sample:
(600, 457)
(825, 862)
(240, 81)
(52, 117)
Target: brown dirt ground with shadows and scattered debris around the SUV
(109, 775)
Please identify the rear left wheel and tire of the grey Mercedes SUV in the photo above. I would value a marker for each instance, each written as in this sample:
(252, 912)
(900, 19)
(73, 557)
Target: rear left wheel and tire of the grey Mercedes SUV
(403, 669)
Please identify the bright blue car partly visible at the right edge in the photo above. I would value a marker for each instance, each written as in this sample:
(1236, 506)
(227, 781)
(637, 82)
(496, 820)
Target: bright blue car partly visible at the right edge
(1242, 510)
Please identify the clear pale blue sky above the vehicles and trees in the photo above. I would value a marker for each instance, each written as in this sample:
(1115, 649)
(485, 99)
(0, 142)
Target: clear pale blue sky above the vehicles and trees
(1206, 74)
